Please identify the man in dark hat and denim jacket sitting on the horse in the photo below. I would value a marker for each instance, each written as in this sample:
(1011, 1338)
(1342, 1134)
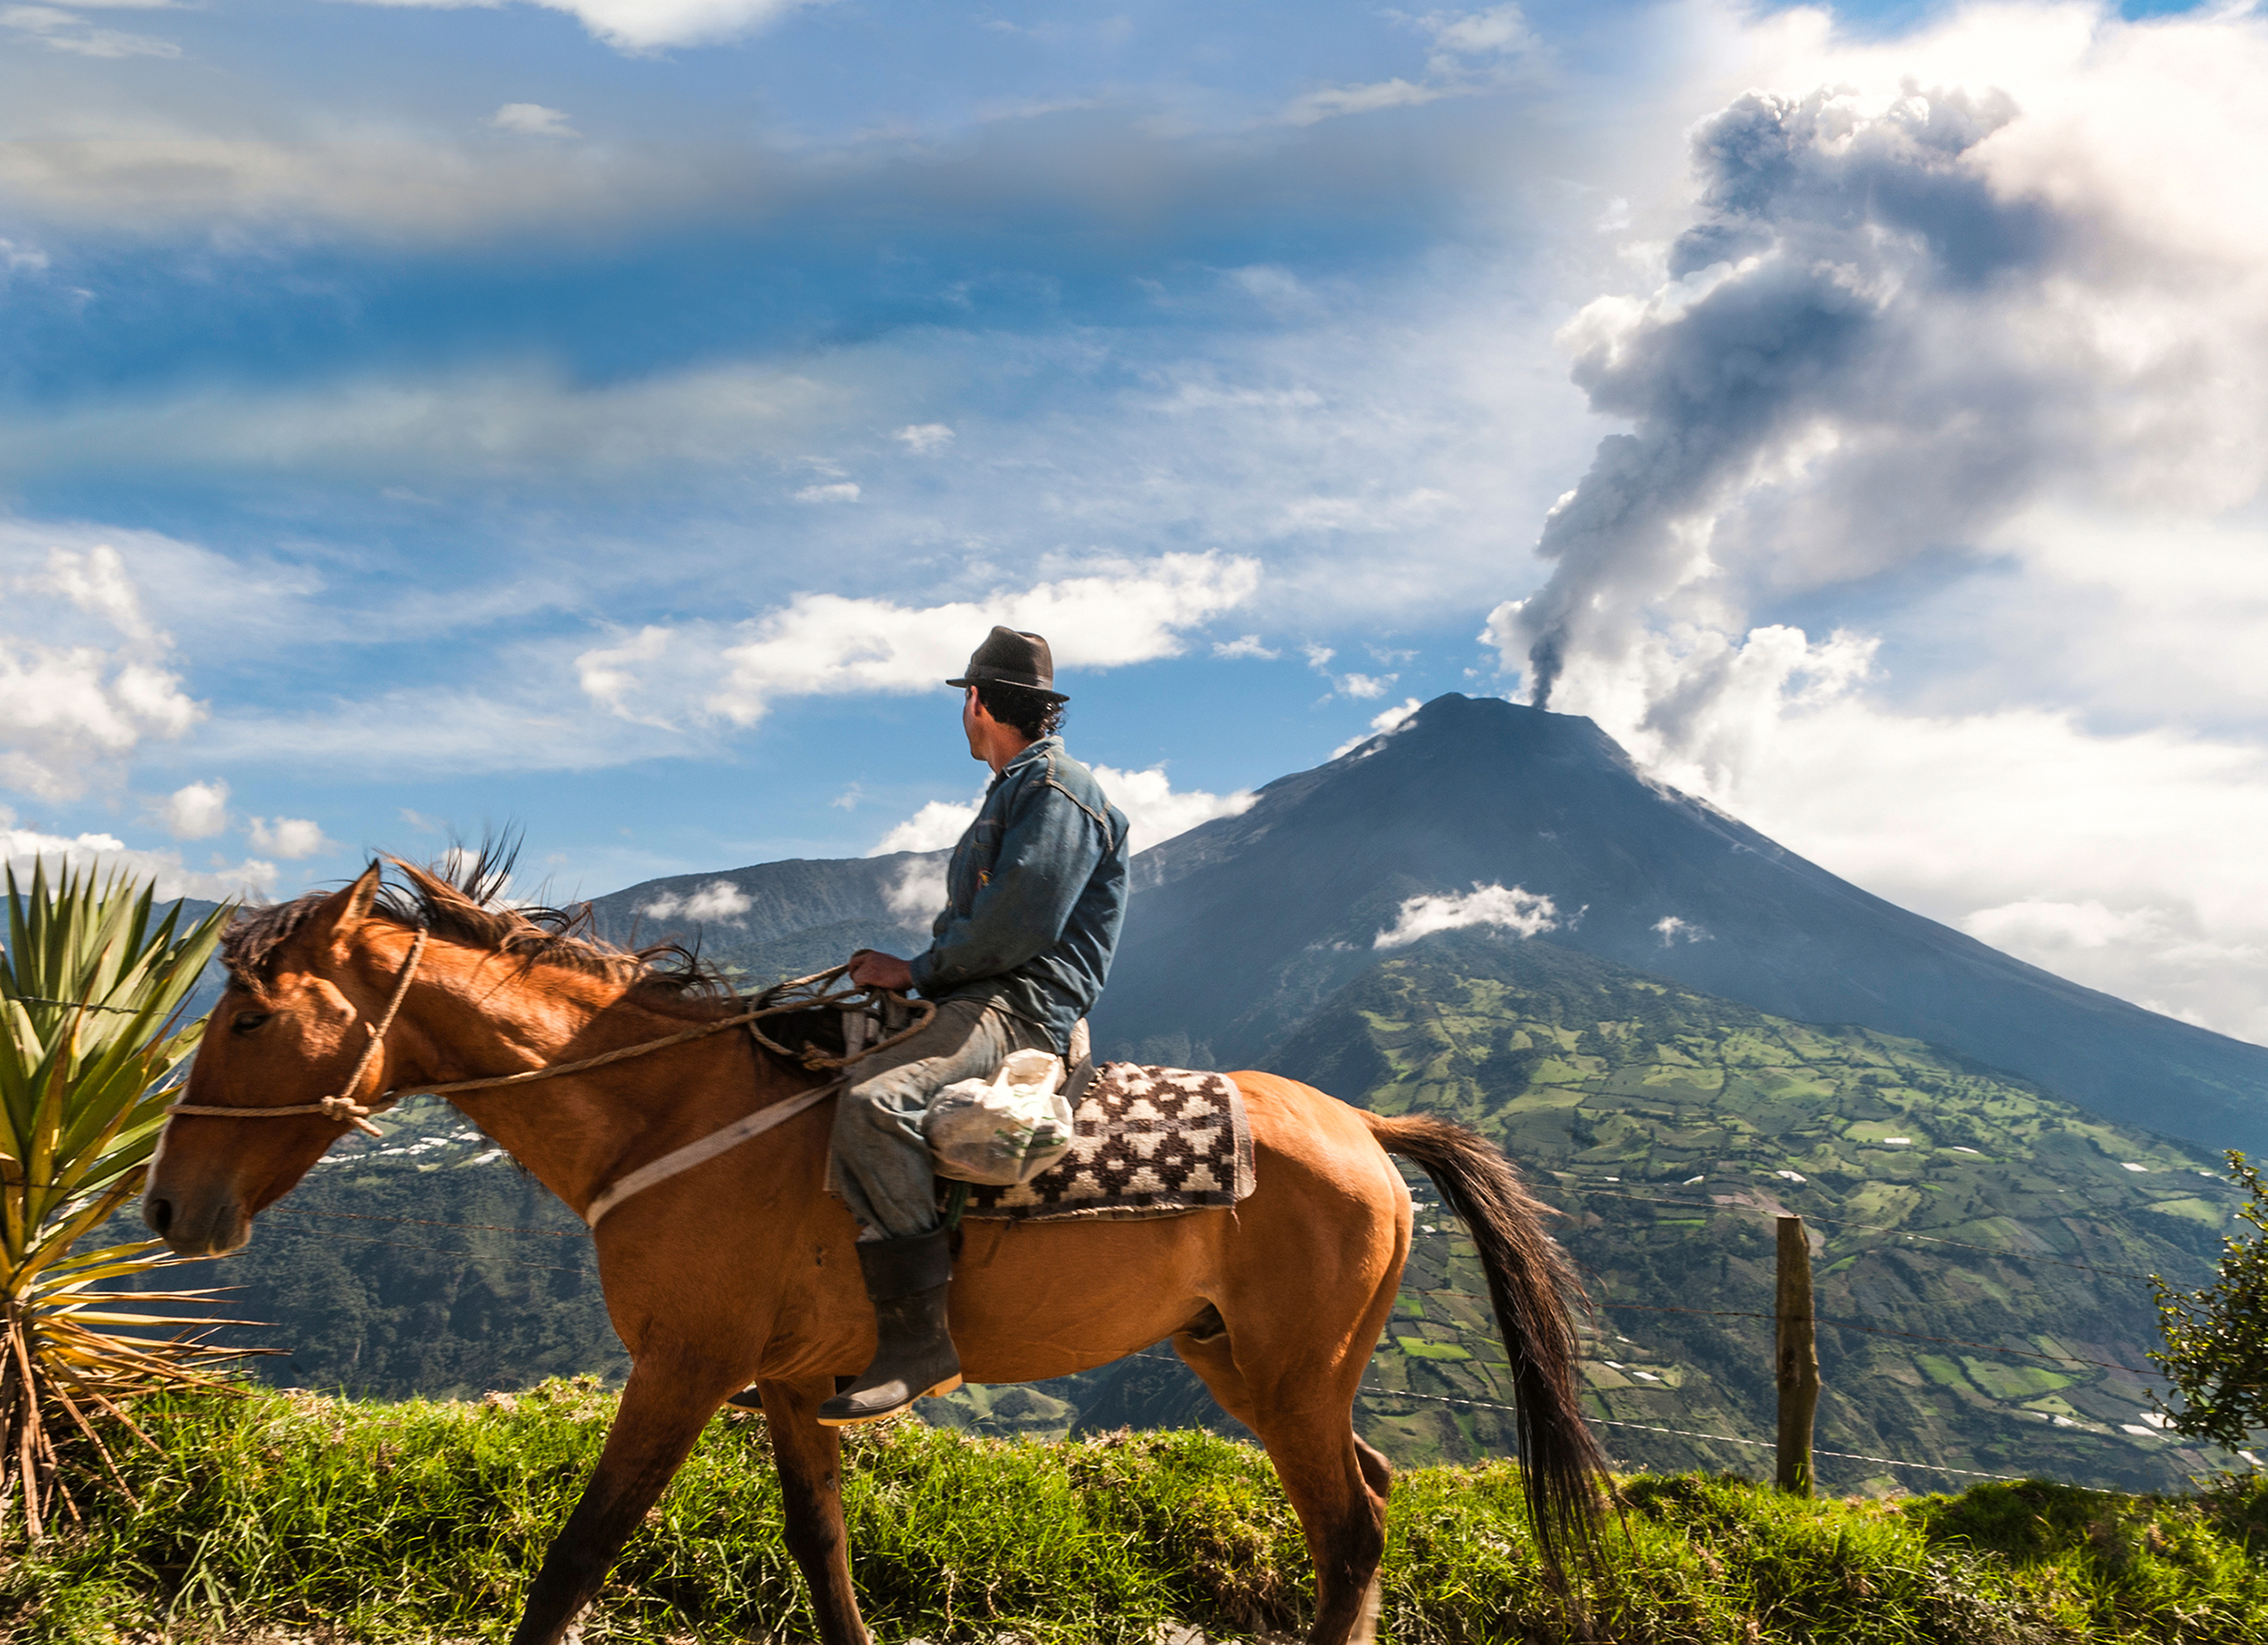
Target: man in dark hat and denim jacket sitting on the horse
(1035, 893)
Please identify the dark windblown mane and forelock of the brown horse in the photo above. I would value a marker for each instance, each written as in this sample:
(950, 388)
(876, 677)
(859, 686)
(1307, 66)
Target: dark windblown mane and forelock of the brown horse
(462, 900)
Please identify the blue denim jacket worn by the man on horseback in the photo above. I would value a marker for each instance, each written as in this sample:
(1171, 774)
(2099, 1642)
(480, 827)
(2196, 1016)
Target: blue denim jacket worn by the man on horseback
(1035, 895)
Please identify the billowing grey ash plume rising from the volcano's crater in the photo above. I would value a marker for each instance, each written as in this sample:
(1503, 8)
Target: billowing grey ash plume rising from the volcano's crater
(1809, 396)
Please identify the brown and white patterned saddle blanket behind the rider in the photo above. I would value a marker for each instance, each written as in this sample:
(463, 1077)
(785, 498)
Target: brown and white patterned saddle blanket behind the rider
(1151, 1142)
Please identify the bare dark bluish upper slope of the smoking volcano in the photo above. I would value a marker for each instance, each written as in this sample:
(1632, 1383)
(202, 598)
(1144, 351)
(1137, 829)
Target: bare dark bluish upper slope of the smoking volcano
(1246, 925)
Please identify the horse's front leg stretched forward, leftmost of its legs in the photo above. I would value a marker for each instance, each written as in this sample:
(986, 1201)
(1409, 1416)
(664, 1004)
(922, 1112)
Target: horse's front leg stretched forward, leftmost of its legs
(663, 1412)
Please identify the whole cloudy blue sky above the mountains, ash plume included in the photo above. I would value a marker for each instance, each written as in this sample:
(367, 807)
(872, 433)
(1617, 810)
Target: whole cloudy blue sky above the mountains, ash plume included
(604, 416)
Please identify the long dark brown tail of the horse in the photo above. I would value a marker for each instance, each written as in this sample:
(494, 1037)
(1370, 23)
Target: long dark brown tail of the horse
(1534, 1290)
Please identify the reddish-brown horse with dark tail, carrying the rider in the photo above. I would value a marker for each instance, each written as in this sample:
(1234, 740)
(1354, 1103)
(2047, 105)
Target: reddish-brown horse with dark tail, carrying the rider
(741, 1269)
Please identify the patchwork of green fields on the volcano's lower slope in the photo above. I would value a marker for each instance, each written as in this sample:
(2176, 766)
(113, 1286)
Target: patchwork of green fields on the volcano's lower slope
(1947, 1204)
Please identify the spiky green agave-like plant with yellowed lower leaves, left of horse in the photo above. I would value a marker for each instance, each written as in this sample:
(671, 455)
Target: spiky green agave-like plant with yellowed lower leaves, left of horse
(92, 997)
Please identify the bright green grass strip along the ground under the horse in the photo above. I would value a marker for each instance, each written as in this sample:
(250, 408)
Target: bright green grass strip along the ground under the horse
(421, 1524)
